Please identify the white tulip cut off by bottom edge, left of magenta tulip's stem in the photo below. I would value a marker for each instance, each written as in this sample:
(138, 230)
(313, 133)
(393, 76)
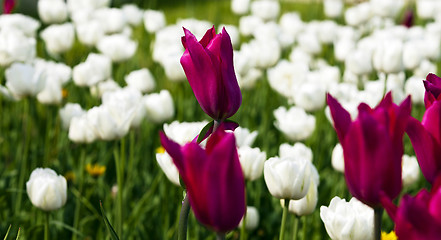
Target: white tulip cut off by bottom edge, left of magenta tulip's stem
(348, 220)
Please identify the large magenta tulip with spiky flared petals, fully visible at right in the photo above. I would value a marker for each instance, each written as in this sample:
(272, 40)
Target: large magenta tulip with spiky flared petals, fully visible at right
(372, 147)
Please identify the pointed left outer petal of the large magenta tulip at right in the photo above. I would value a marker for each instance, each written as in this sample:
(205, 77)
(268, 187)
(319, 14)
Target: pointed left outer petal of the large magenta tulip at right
(341, 117)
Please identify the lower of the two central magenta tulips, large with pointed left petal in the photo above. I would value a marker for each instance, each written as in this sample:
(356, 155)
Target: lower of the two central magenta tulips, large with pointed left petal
(213, 178)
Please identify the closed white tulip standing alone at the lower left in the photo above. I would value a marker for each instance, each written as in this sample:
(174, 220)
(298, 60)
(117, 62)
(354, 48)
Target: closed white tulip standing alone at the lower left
(46, 189)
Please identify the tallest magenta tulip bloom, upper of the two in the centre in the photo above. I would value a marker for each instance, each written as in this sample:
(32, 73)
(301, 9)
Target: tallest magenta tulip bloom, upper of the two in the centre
(208, 65)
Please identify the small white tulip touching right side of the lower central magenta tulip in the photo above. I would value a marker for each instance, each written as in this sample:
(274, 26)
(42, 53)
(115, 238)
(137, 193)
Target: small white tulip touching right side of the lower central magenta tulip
(251, 160)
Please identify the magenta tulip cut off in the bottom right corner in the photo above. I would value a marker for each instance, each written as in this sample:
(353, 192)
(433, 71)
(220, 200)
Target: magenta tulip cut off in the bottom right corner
(419, 217)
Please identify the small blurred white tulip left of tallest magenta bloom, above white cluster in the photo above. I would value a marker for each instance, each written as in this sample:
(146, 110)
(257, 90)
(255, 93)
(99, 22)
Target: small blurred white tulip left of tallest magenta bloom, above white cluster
(141, 80)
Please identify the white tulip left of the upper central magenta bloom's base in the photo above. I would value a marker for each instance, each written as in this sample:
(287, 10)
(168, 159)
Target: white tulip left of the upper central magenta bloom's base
(160, 106)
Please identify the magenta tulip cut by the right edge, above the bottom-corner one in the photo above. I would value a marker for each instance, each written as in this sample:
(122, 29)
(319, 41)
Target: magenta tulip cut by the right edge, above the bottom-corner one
(426, 136)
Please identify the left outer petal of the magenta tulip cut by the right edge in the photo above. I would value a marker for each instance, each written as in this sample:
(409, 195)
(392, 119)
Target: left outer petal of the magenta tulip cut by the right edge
(425, 147)
